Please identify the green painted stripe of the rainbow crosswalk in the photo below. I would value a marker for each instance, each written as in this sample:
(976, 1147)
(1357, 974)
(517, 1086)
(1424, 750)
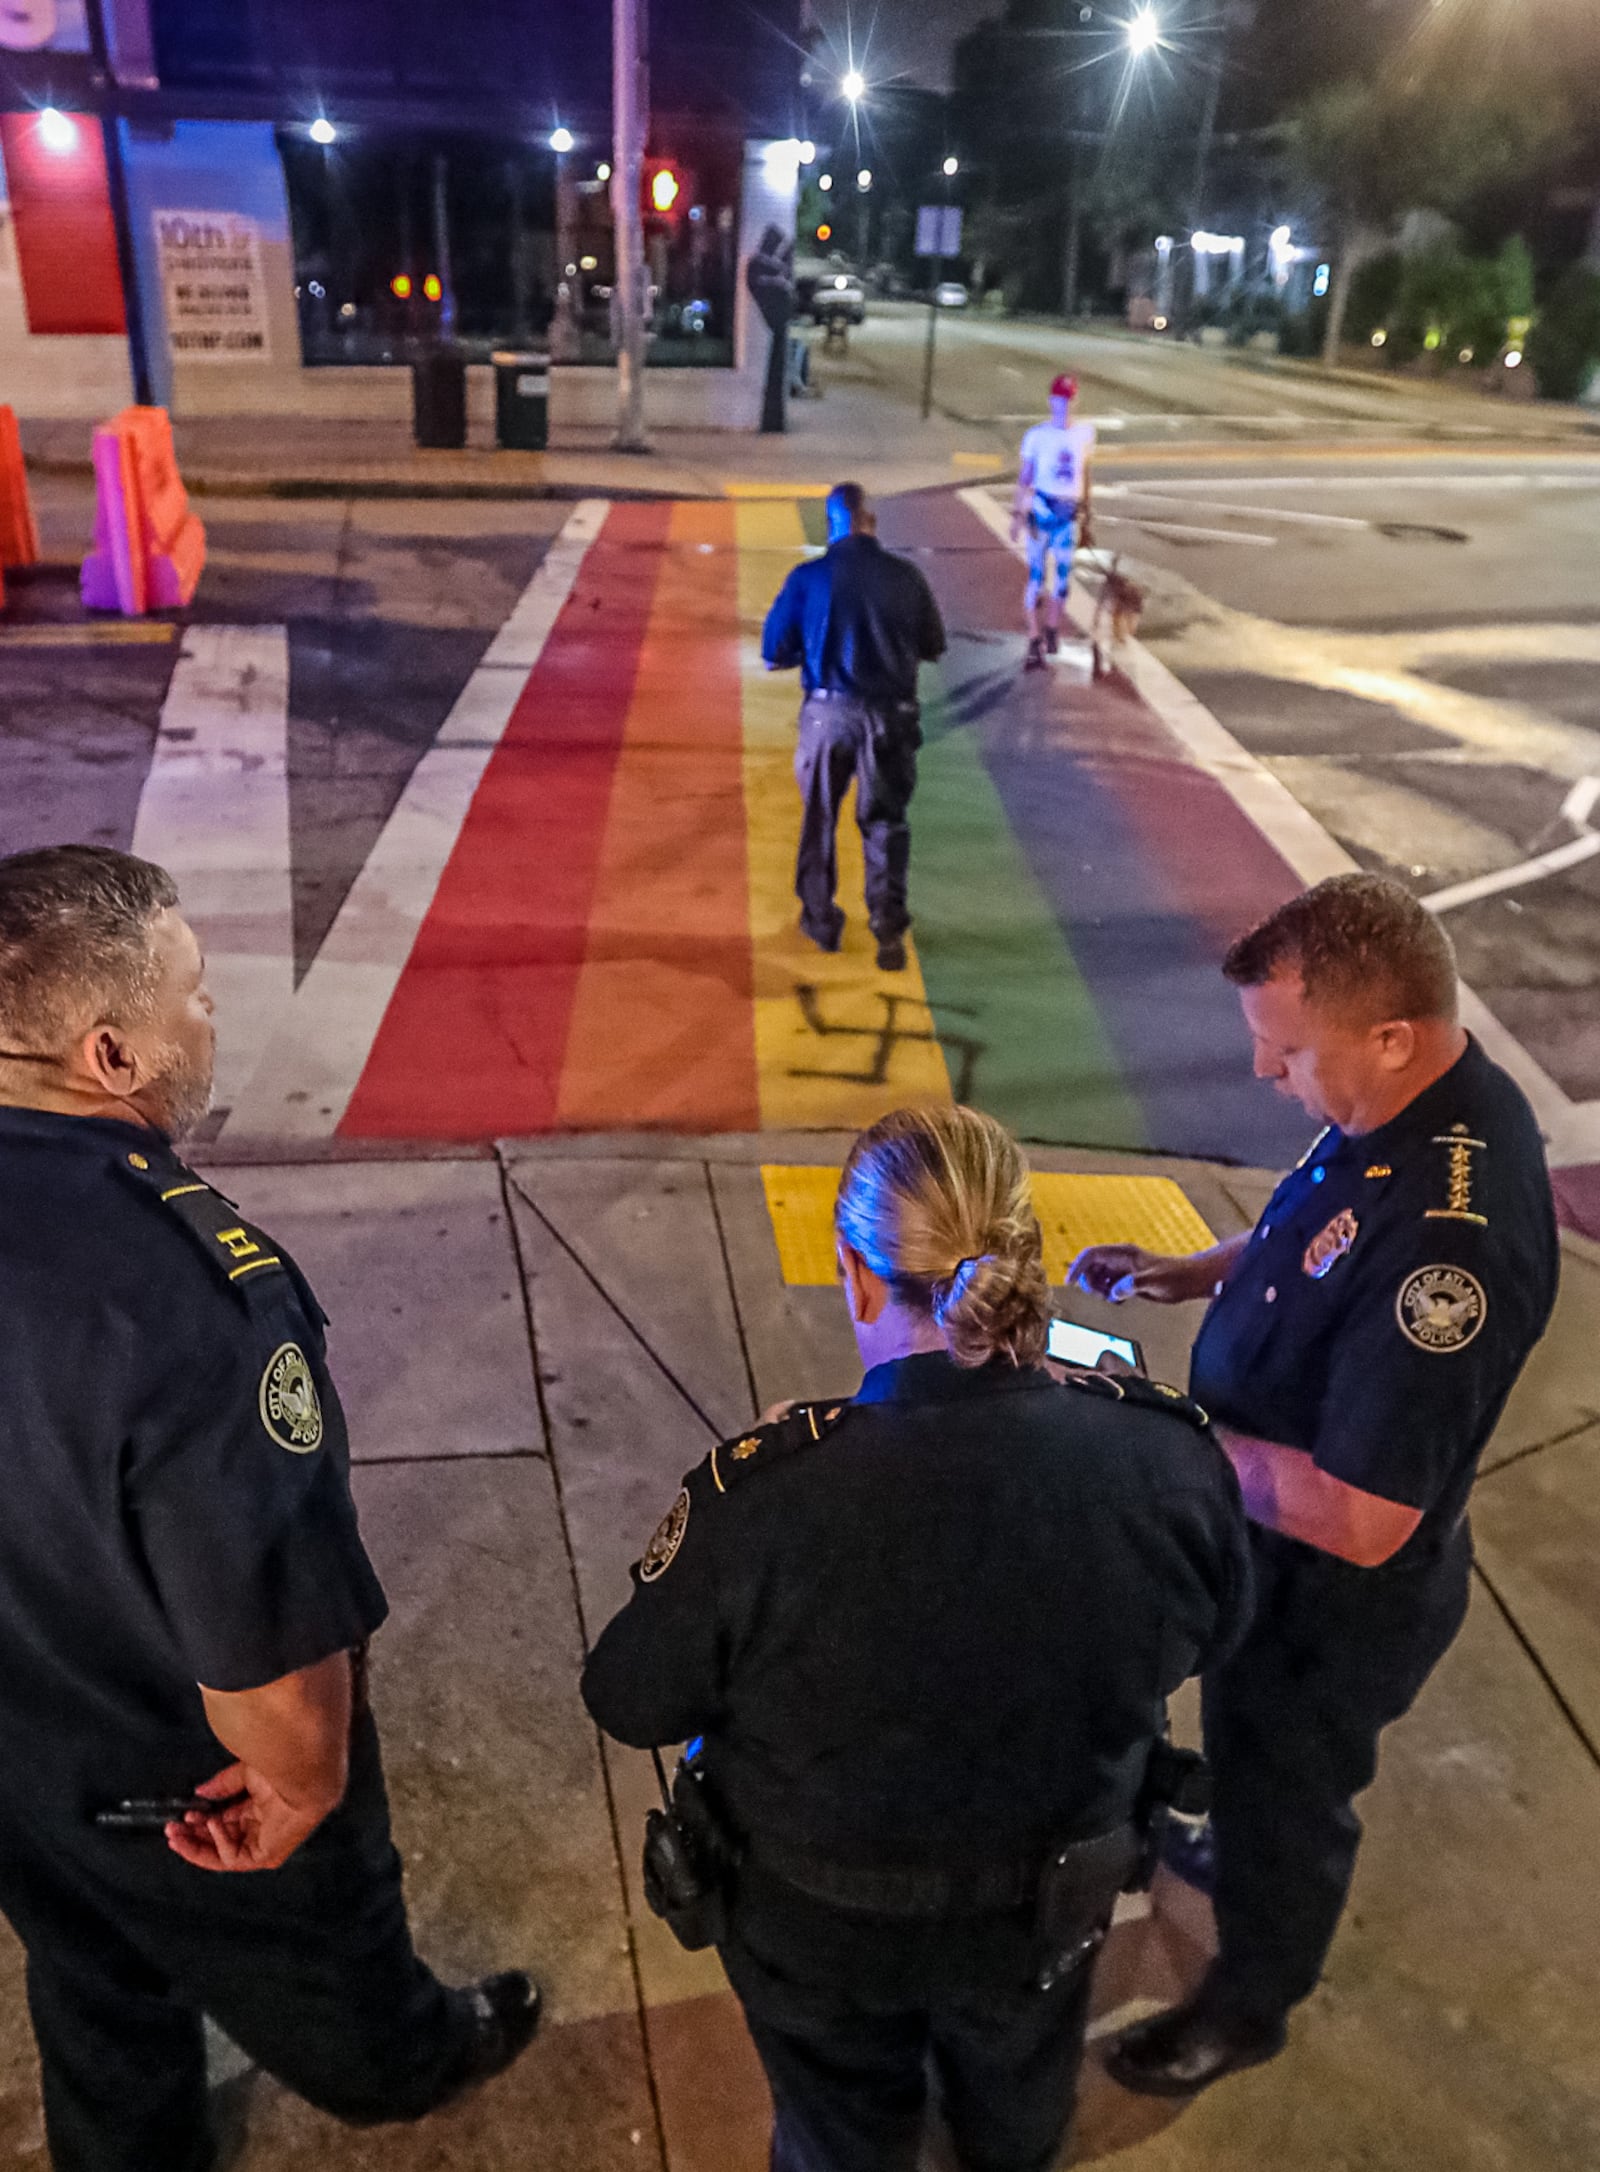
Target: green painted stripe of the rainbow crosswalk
(1000, 972)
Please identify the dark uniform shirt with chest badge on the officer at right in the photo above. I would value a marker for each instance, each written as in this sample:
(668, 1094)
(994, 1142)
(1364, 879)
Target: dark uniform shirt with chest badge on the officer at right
(1391, 1296)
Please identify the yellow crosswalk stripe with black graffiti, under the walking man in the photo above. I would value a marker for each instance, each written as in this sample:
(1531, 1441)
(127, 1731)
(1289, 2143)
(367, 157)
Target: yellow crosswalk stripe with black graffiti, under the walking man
(837, 1041)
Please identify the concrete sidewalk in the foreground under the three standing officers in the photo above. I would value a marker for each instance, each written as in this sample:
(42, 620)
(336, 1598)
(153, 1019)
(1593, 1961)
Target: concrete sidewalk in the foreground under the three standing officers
(535, 1346)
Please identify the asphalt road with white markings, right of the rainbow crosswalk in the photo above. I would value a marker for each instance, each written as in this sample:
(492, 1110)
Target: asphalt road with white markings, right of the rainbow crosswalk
(1397, 609)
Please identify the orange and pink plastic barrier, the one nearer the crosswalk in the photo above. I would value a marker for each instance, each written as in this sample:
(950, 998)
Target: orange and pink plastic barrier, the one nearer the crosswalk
(149, 546)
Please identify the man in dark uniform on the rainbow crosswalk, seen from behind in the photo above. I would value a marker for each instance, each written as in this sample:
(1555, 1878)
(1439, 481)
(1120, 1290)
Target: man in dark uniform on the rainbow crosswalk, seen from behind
(856, 622)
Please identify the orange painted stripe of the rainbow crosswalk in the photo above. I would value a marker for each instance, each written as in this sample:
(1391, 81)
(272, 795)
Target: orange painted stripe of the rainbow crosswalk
(663, 1022)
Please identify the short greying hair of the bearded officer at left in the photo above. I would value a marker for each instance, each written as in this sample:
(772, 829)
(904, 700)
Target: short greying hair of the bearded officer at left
(75, 942)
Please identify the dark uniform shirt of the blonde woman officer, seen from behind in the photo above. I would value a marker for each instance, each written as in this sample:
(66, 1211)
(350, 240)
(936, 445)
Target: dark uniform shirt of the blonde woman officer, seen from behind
(937, 1621)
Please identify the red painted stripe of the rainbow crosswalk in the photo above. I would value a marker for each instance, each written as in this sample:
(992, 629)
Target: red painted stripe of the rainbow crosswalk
(474, 1037)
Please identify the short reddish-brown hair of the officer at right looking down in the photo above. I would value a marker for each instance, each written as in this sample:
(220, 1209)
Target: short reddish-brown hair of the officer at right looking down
(1360, 944)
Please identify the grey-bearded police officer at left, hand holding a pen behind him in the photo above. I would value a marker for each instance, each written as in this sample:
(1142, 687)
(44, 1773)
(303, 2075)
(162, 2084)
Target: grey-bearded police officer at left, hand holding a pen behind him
(183, 1591)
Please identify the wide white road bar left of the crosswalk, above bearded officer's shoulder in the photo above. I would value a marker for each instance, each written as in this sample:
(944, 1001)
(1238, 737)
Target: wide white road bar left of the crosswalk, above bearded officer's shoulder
(216, 816)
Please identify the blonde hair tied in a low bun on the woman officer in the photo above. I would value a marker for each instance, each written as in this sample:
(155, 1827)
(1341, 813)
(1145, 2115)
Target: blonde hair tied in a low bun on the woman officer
(937, 1202)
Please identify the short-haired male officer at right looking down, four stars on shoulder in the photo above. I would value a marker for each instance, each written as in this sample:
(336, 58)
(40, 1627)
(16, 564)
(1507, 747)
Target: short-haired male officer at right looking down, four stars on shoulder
(1358, 1352)
